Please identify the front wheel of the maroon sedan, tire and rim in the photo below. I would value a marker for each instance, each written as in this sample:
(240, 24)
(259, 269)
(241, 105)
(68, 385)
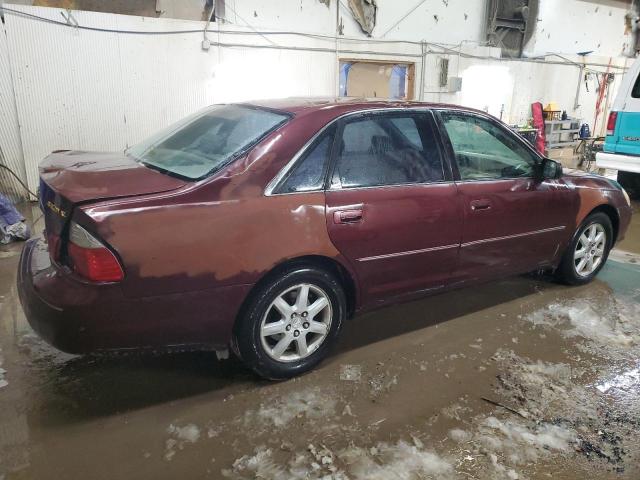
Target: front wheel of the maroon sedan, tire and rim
(569, 270)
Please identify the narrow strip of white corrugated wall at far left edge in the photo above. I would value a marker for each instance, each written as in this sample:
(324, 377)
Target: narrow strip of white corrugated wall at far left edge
(10, 143)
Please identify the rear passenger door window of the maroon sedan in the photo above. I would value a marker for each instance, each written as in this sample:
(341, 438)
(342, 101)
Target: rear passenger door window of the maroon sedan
(388, 149)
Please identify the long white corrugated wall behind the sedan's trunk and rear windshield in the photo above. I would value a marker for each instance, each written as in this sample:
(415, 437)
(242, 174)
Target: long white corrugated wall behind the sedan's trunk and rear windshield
(90, 90)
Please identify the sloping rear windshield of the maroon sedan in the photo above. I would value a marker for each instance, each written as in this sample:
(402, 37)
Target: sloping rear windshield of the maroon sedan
(202, 143)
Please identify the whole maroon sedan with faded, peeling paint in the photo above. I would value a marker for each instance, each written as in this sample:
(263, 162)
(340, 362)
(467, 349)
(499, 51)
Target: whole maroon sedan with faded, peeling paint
(264, 226)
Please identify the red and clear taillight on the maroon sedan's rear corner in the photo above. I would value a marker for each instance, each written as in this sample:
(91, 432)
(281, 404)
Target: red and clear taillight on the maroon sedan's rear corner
(89, 258)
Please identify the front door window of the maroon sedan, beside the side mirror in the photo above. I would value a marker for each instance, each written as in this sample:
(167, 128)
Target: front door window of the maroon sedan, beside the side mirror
(486, 151)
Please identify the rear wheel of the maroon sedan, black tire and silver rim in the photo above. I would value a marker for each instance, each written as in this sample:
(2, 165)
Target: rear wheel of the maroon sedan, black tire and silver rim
(272, 343)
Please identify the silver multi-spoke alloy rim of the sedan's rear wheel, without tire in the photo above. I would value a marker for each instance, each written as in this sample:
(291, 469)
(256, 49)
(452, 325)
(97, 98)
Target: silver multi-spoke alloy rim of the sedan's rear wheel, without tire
(296, 323)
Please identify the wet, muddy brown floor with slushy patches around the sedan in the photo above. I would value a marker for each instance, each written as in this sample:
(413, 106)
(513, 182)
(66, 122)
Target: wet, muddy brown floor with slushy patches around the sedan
(406, 395)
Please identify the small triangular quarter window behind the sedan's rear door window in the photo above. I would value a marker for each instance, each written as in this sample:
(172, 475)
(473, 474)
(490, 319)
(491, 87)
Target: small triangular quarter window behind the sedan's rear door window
(308, 174)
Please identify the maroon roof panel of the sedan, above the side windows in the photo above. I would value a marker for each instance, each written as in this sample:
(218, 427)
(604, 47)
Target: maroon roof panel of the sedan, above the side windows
(299, 105)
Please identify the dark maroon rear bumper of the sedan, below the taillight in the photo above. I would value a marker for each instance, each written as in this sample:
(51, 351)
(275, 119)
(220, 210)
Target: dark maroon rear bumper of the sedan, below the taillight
(78, 317)
